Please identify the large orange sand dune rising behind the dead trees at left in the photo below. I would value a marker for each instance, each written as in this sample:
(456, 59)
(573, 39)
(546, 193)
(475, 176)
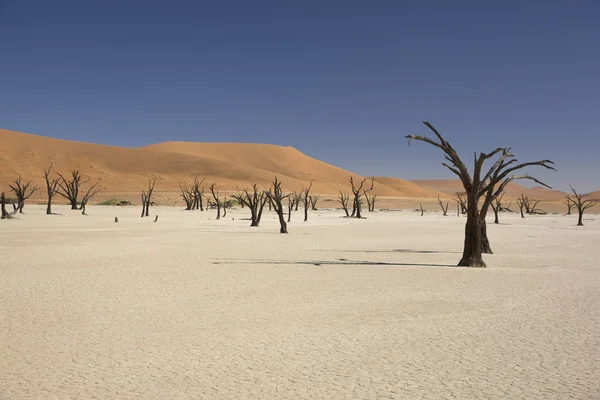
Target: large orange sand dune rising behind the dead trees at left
(230, 165)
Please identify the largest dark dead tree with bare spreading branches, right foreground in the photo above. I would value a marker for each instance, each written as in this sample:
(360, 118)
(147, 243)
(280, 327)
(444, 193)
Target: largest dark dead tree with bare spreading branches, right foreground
(477, 185)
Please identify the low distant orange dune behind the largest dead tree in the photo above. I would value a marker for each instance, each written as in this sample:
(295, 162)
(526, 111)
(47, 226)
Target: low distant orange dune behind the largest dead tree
(513, 190)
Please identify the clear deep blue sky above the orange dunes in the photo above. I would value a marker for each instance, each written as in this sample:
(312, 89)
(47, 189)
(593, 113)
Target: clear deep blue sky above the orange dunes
(341, 80)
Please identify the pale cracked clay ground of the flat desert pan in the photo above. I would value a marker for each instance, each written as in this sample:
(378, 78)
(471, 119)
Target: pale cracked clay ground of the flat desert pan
(190, 307)
